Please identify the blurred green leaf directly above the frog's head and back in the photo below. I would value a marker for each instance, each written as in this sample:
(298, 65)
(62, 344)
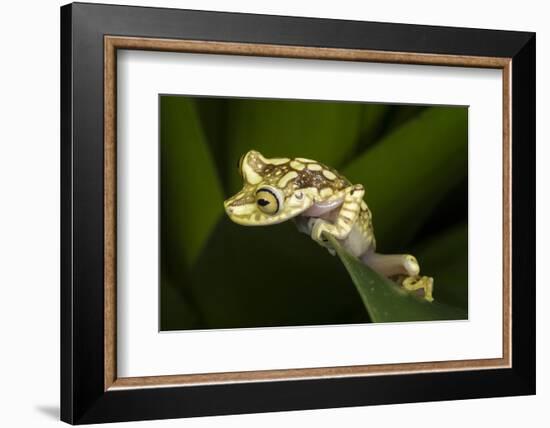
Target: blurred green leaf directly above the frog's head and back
(324, 131)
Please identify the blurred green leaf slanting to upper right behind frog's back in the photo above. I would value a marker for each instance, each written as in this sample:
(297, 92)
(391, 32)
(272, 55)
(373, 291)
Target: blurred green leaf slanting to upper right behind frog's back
(409, 171)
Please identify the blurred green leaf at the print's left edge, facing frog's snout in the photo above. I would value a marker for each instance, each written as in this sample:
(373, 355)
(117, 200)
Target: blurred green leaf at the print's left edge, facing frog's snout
(191, 195)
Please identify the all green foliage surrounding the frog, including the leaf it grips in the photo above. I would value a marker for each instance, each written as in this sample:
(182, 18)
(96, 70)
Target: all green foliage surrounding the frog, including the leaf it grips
(217, 274)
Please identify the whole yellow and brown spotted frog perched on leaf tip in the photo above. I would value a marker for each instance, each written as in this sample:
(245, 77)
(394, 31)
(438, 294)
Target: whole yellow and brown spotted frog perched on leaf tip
(321, 202)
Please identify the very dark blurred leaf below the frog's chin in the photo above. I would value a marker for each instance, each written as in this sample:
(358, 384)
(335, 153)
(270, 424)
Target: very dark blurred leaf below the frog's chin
(270, 276)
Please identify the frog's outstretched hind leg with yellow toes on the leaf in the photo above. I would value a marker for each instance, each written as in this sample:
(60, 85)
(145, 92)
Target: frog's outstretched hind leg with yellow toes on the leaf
(403, 265)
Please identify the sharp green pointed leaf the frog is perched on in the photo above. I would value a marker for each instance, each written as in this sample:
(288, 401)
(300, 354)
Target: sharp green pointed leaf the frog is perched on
(385, 301)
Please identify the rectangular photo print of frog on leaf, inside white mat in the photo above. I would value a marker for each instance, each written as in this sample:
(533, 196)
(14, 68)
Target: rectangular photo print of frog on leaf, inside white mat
(279, 212)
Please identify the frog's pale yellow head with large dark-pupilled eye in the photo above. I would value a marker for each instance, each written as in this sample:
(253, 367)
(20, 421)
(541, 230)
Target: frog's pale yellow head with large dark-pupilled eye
(271, 193)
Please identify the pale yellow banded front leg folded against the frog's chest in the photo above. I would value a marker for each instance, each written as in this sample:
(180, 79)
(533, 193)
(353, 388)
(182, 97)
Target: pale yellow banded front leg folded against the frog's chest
(345, 219)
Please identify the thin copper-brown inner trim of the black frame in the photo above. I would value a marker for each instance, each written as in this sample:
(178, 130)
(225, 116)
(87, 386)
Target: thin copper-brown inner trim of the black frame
(112, 43)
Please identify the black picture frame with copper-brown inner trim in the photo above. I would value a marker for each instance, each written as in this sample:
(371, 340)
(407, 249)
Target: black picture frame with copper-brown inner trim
(91, 390)
